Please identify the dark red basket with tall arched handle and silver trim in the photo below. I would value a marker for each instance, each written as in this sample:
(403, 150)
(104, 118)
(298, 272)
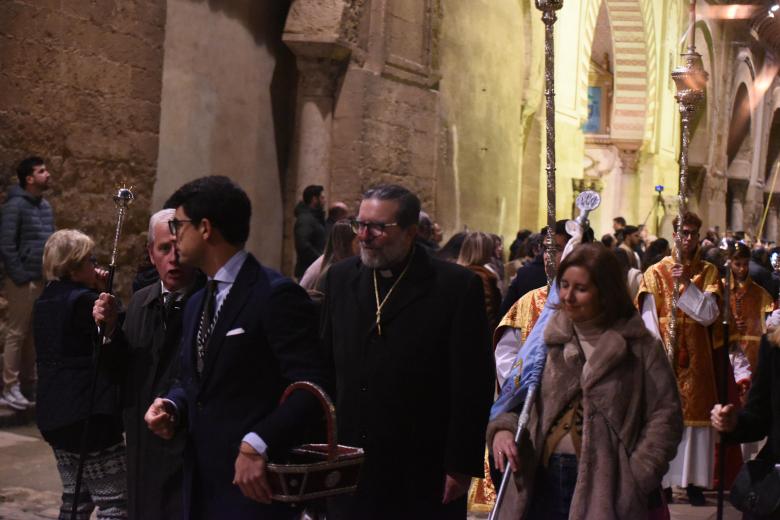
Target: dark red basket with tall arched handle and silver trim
(316, 470)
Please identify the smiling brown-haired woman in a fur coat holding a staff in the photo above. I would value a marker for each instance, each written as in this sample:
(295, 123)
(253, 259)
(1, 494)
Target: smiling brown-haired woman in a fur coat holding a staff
(607, 419)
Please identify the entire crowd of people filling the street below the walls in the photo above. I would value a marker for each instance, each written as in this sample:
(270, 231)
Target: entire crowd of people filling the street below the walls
(174, 407)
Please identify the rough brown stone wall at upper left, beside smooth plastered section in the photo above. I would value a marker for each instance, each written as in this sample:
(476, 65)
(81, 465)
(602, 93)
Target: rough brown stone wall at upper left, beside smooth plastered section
(80, 86)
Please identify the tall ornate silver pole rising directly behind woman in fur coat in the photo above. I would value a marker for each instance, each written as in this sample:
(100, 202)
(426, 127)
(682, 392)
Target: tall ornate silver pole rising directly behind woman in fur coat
(549, 17)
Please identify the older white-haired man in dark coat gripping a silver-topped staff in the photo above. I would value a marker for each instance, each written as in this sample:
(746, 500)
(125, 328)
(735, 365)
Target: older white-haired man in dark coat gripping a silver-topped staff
(146, 350)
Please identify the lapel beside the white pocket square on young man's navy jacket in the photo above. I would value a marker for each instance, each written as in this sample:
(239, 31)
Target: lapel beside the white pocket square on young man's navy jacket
(235, 301)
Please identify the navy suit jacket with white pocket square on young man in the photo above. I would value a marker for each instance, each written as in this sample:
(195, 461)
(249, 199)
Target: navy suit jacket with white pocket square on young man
(238, 392)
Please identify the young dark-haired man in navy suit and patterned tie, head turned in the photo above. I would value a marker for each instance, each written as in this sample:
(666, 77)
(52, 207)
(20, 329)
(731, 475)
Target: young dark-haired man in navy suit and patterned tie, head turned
(247, 336)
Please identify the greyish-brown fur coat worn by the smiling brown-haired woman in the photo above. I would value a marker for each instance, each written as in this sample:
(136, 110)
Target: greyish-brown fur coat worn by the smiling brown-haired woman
(632, 420)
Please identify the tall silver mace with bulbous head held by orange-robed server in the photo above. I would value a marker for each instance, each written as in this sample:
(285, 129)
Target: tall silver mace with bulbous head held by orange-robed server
(690, 78)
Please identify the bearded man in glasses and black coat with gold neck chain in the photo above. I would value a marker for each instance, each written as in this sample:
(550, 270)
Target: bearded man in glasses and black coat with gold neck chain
(409, 340)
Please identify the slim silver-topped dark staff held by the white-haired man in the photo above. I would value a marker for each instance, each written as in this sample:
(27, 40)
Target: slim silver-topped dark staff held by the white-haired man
(122, 199)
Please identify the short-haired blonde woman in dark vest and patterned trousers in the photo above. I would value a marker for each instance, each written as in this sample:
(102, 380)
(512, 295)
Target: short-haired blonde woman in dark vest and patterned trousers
(65, 334)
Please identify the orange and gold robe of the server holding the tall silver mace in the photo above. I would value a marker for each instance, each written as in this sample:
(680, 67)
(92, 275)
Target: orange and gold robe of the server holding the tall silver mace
(693, 366)
